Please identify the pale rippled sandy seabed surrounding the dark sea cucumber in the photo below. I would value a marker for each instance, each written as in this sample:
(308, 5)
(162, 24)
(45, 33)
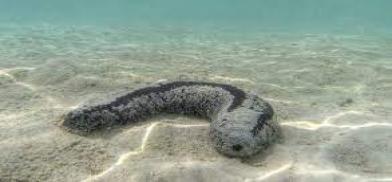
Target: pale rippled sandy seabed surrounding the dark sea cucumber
(332, 94)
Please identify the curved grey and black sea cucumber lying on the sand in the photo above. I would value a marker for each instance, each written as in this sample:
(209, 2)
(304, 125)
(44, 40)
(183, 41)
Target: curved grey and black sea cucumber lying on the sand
(242, 124)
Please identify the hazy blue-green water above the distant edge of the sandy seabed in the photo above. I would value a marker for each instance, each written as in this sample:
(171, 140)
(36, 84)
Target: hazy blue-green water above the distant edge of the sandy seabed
(348, 15)
